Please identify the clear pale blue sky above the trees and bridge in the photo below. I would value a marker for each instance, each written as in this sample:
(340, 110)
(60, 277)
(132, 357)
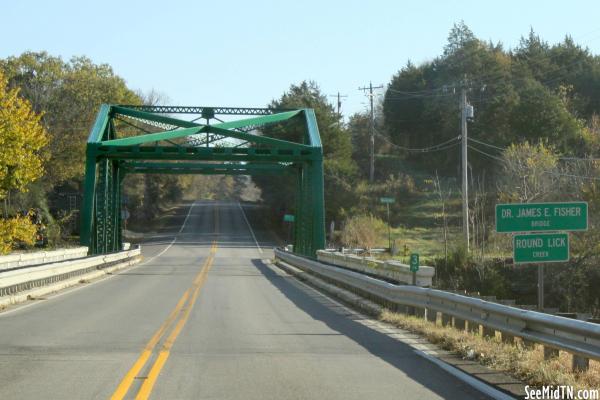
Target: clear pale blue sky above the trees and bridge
(239, 53)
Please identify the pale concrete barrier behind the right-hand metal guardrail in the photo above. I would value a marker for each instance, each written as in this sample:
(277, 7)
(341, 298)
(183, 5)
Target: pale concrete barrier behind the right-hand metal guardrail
(392, 270)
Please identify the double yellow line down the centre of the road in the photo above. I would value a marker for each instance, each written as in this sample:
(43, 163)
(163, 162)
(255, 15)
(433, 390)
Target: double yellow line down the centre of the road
(181, 313)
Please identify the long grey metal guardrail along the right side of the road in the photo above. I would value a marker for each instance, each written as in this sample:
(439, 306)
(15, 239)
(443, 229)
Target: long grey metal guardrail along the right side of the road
(577, 337)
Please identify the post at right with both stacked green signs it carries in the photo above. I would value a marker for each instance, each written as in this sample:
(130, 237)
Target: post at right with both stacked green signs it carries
(541, 247)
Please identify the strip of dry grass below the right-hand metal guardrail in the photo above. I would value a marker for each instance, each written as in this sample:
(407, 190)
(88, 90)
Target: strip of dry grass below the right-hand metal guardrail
(527, 365)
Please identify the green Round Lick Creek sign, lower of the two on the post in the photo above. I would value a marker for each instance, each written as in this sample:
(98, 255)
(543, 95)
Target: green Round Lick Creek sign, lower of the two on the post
(541, 248)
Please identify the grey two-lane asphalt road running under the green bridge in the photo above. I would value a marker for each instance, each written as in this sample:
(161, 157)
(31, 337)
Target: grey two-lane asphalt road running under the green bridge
(203, 317)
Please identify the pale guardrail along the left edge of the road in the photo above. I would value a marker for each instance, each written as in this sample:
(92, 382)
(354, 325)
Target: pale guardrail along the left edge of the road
(15, 281)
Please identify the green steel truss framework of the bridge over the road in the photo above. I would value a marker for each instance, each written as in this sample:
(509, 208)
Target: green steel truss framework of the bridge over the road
(157, 142)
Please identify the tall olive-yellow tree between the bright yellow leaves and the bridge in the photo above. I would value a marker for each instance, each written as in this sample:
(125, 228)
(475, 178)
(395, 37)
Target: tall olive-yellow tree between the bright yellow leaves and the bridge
(69, 94)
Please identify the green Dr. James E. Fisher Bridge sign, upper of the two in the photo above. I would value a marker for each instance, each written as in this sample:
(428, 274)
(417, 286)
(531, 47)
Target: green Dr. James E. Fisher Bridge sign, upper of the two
(536, 217)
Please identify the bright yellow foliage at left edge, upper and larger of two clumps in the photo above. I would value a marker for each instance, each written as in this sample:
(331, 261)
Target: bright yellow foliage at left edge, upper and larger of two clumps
(22, 138)
